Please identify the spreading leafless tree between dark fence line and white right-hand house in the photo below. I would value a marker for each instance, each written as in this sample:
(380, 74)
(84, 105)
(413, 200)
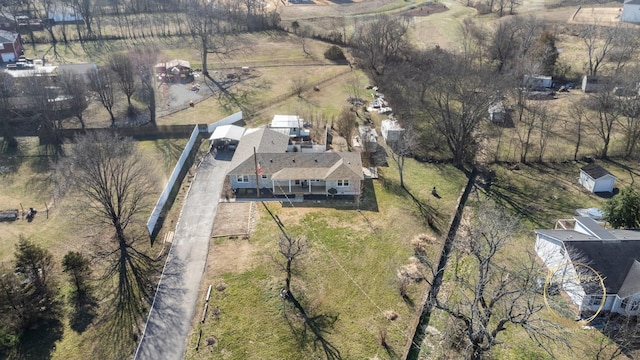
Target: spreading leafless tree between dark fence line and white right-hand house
(490, 293)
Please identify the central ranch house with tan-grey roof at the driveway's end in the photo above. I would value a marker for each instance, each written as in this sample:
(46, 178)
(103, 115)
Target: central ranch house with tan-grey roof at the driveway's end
(292, 173)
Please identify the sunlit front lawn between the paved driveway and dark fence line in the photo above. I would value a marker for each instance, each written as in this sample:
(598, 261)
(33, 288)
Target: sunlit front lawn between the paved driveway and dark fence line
(345, 278)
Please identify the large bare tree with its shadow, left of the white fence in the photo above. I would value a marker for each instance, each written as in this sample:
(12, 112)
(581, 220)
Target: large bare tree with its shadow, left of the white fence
(110, 181)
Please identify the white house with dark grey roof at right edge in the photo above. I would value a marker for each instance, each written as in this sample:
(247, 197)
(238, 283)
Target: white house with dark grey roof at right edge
(613, 254)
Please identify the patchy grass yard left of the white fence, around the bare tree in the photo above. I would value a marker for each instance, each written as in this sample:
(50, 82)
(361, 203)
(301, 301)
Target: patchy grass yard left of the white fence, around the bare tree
(27, 183)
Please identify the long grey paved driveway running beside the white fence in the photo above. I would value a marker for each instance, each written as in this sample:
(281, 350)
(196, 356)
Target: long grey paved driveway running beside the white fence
(169, 321)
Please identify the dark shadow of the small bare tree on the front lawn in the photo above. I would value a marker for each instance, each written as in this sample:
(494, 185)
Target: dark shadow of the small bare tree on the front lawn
(313, 329)
